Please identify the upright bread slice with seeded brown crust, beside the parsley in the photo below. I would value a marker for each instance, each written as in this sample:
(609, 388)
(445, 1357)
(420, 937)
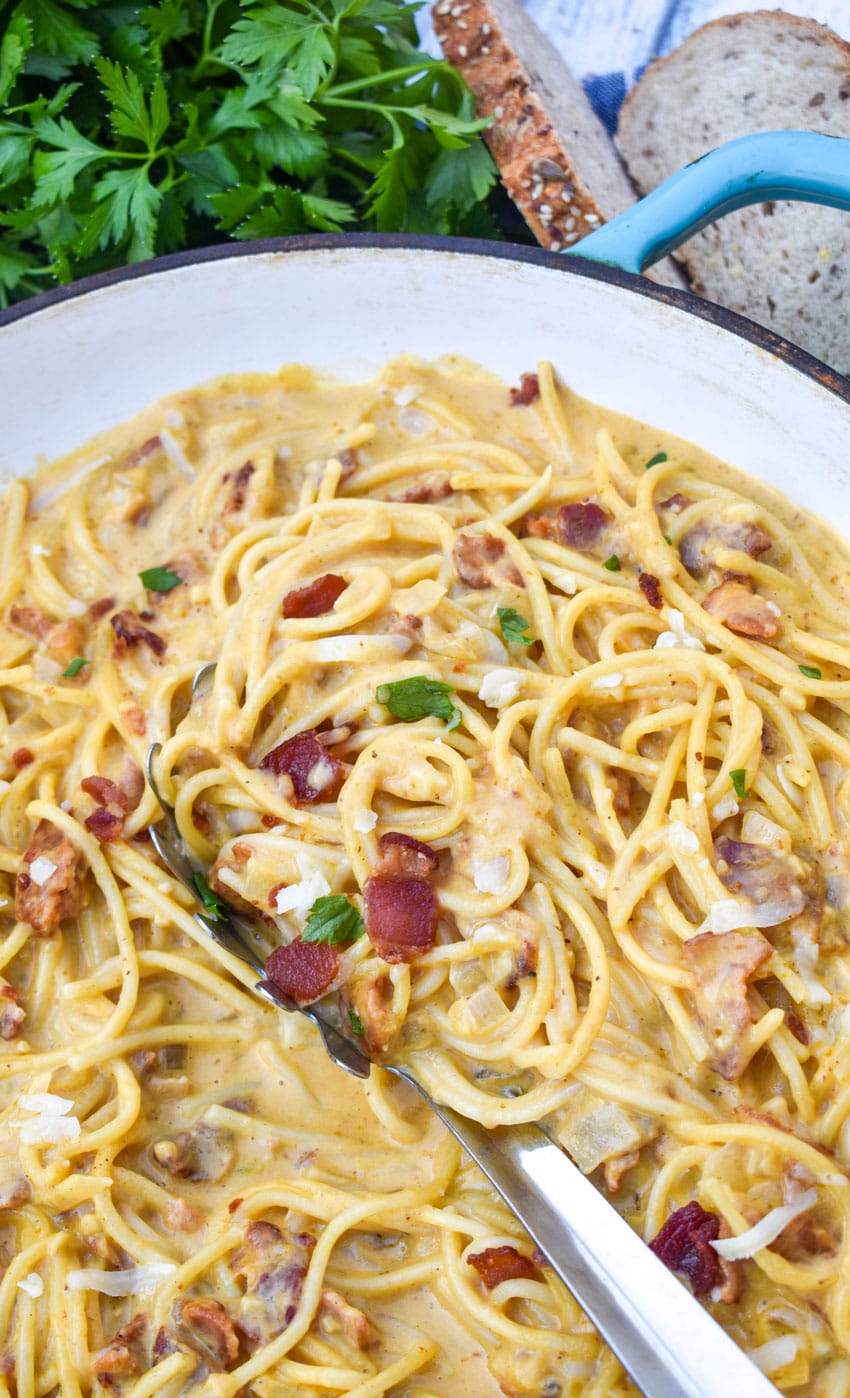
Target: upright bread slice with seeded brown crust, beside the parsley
(557, 161)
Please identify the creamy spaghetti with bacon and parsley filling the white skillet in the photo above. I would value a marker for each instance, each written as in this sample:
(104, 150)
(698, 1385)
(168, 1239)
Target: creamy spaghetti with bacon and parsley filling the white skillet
(529, 746)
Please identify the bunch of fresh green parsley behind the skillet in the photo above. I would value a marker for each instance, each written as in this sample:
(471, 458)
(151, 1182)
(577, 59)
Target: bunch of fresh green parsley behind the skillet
(129, 131)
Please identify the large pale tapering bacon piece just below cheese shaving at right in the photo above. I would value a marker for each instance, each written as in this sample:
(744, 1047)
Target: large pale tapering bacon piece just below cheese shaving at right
(722, 965)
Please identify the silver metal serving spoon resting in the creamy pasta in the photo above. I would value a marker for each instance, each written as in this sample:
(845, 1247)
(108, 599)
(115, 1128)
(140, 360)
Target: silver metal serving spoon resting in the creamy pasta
(663, 1337)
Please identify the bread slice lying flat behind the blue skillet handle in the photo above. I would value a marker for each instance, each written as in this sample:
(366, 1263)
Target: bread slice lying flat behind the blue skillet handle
(784, 265)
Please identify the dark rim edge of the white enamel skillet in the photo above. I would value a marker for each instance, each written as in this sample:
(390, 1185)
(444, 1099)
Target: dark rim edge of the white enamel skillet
(737, 325)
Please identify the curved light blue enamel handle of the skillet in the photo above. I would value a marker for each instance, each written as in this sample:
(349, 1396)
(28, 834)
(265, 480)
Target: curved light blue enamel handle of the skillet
(803, 166)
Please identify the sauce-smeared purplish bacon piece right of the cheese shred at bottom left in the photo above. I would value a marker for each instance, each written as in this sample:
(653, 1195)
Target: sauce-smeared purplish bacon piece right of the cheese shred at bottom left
(273, 1266)
